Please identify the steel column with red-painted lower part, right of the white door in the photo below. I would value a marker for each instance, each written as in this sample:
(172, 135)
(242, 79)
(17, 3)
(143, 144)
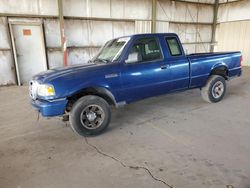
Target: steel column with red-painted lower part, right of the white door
(62, 31)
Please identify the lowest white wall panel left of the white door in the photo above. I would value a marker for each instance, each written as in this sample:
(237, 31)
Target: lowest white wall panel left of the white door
(7, 75)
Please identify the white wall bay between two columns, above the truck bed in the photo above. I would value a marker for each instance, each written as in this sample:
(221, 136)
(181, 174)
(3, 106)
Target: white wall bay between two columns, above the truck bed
(192, 22)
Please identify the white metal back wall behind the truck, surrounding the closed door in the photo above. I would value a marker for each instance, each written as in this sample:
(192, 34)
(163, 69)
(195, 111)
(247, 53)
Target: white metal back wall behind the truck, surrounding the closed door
(89, 23)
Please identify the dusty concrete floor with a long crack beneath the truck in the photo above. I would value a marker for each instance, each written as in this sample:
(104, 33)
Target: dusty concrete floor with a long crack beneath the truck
(174, 140)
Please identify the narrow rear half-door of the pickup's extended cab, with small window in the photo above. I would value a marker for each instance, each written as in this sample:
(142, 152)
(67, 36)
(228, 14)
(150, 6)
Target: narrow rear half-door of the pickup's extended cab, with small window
(178, 64)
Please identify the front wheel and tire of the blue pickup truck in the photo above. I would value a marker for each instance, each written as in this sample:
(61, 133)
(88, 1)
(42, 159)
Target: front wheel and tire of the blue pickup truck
(90, 115)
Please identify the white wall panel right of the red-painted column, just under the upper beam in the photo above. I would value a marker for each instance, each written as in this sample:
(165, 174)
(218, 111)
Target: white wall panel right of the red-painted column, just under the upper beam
(82, 33)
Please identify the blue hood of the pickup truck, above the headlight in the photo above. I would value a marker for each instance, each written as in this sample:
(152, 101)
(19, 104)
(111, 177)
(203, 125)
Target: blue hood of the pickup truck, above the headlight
(52, 74)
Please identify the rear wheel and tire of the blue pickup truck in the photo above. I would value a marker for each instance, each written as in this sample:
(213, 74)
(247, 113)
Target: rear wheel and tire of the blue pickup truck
(214, 90)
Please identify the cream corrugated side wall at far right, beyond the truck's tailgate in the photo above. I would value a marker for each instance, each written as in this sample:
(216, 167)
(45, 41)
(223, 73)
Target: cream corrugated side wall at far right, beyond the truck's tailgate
(233, 30)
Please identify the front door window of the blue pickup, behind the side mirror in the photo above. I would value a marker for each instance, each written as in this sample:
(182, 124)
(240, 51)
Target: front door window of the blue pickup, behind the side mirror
(144, 50)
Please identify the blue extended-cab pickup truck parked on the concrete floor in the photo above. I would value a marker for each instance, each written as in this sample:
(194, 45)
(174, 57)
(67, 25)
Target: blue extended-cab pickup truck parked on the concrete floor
(125, 70)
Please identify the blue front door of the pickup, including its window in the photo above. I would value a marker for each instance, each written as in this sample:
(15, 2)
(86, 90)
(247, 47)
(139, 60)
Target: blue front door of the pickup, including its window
(145, 72)
